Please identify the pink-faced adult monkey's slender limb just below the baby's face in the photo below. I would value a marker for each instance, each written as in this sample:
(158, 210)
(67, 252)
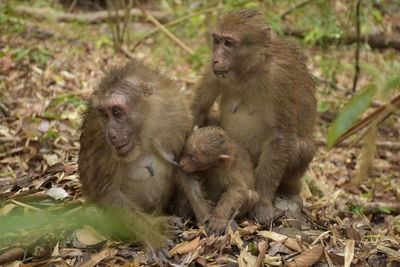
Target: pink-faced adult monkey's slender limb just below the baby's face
(193, 191)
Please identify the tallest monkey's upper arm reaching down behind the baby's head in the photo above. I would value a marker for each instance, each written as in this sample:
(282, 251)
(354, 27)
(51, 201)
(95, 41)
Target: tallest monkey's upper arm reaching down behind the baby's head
(204, 96)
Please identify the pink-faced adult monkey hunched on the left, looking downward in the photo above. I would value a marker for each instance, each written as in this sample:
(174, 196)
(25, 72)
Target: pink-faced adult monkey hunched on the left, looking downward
(133, 113)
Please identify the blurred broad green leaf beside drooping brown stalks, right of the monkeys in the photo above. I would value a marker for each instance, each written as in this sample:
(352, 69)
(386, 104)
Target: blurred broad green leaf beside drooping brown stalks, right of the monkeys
(350, 114)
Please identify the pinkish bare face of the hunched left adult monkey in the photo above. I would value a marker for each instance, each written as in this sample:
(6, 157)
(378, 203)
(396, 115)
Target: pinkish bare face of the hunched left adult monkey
(121, 123)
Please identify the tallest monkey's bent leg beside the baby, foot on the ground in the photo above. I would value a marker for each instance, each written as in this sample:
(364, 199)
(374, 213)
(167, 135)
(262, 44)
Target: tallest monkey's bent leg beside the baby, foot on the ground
(269, 172)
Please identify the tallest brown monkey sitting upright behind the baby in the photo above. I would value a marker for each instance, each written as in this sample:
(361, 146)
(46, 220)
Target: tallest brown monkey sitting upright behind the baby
(267, 102)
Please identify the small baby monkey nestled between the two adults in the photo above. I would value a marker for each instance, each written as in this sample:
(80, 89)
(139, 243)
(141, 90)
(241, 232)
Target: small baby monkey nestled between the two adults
(226, 175)
